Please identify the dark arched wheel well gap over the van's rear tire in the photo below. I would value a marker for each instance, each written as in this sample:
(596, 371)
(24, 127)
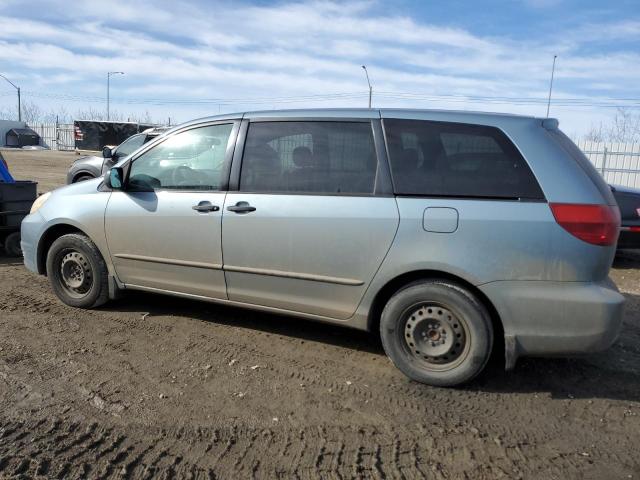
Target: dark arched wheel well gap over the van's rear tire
(404, 280)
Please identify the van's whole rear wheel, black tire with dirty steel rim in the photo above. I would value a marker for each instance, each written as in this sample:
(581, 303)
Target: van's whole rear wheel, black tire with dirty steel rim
(437, 332)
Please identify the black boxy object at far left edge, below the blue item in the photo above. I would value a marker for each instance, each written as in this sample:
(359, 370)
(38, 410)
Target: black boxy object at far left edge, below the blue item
(16, 199)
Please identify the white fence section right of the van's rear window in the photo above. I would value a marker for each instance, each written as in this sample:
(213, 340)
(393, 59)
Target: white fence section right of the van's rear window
(619, 163)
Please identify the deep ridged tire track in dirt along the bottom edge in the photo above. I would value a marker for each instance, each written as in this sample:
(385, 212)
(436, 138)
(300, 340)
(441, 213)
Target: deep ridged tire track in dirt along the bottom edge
(337, 452)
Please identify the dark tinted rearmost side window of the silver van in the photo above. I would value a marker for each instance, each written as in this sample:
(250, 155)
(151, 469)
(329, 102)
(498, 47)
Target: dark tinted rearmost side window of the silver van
(458, 160)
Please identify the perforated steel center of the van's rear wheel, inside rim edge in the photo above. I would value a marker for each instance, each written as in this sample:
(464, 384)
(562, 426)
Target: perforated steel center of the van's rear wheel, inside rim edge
(434, 334)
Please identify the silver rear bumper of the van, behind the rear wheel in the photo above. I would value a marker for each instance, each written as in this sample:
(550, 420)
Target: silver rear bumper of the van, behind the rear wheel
(542, 318)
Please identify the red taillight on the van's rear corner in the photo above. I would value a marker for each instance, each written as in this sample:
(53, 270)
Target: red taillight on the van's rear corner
(595, 224)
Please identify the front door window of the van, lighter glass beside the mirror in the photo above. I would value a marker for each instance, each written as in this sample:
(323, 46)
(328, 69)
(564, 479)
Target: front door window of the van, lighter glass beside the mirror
(190, 160)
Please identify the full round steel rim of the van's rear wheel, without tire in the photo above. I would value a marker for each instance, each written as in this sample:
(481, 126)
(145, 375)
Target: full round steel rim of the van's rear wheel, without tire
(435, 336)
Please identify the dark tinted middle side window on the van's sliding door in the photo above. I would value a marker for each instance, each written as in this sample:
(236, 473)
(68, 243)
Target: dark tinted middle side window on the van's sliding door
(312, 157)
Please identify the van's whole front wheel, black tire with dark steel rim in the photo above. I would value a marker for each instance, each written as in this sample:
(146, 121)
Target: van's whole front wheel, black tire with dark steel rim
(77, 271)
